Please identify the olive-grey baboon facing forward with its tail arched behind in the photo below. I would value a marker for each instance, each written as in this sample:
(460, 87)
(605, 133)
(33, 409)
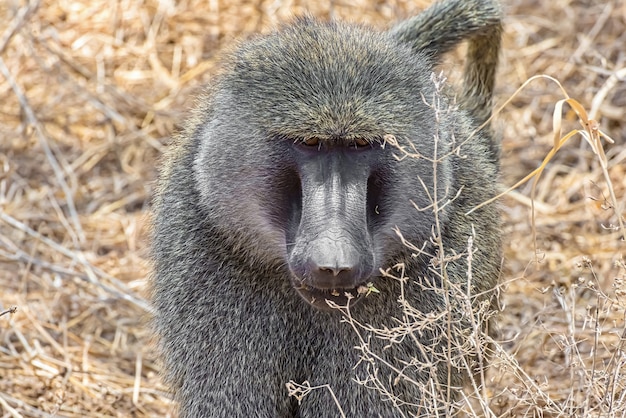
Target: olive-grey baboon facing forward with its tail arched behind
(281, 194)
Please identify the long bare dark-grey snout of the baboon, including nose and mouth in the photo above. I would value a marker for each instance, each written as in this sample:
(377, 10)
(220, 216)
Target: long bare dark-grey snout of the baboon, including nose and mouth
(333, 253)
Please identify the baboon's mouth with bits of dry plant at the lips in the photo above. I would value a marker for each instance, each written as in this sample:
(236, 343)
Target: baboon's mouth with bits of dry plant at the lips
(320, 298)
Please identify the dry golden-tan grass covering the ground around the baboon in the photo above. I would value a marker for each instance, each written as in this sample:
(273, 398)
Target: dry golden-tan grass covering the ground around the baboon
(91, 90)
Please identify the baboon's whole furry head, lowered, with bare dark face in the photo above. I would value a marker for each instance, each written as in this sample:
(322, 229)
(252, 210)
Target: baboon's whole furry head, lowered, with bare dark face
(293, 166)
